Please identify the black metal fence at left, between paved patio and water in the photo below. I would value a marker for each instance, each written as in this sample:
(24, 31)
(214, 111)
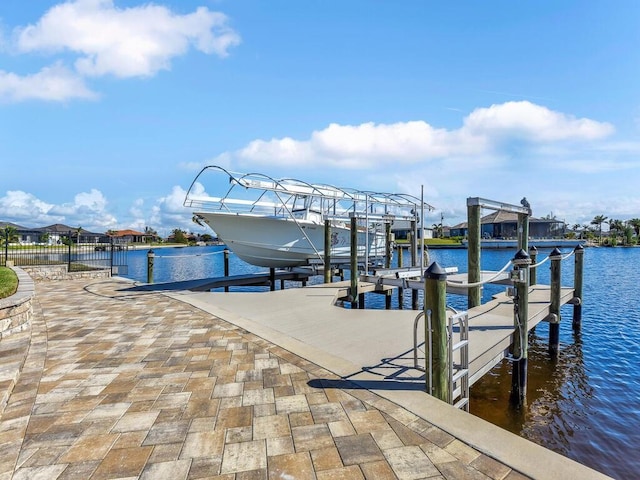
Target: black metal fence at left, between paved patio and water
(88, 252)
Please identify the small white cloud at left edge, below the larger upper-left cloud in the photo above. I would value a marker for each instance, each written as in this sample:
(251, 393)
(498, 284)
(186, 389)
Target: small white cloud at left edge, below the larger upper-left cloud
(54, 83)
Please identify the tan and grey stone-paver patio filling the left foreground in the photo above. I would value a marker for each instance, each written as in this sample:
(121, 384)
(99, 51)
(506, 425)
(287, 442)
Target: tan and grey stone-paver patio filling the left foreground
(117, 384)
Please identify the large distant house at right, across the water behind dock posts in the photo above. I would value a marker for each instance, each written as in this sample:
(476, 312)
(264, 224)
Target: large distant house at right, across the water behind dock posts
(504, 225)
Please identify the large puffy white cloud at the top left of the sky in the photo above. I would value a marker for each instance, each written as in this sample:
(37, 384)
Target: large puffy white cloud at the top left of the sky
(125, 42)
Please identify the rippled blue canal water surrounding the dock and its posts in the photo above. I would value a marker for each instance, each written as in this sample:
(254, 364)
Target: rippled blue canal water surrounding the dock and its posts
(584, 405)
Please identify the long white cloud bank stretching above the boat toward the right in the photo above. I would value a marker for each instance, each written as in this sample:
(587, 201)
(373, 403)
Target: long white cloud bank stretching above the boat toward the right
(482, 138)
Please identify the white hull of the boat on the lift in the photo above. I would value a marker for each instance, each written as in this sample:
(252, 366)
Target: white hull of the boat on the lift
(278, 242)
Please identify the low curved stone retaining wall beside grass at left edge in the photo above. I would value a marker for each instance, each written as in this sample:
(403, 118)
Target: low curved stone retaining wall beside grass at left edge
(16, 311)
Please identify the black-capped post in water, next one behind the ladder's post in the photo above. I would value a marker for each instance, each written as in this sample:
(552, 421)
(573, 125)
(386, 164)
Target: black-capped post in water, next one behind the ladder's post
(520, 277)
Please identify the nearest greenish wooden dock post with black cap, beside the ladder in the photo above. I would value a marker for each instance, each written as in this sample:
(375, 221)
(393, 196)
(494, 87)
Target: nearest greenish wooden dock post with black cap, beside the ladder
(435, 309)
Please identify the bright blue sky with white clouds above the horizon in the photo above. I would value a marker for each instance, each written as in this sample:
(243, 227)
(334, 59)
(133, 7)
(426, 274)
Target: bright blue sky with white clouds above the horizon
(109, 108)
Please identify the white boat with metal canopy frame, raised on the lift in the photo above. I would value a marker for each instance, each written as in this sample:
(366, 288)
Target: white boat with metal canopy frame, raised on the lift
(281, 223)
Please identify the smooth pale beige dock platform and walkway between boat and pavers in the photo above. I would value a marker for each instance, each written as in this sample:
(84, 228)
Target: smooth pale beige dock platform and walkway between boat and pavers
(351, 343)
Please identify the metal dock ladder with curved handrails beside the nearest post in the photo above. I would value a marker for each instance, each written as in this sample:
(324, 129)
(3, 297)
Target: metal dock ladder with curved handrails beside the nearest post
(458, 372)
